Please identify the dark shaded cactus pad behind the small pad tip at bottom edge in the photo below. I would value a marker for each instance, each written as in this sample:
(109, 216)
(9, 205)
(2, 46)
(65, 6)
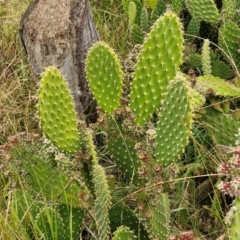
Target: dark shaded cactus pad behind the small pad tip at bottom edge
(121, 215)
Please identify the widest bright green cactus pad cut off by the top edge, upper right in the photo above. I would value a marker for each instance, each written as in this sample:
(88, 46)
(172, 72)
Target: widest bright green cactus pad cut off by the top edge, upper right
(204, 9)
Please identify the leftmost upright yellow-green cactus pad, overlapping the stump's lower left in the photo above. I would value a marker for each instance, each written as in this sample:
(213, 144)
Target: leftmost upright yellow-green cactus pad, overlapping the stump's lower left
(56, 111)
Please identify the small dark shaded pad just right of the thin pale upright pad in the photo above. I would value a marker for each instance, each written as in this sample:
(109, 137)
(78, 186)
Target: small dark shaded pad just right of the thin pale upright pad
(222, 70)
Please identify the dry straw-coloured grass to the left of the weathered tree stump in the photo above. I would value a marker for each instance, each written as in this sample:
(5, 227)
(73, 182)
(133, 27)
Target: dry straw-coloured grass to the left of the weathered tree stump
(17, 87)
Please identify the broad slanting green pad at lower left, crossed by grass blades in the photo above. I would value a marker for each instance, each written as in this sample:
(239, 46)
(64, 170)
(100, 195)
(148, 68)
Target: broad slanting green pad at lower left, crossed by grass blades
(53, 184)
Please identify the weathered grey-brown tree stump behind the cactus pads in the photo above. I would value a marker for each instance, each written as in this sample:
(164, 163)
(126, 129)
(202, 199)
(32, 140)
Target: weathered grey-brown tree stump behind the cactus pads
(59, 33)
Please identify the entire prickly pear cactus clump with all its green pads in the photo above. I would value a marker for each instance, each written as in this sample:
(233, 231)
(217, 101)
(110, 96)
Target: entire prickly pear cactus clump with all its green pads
(144, 130)
